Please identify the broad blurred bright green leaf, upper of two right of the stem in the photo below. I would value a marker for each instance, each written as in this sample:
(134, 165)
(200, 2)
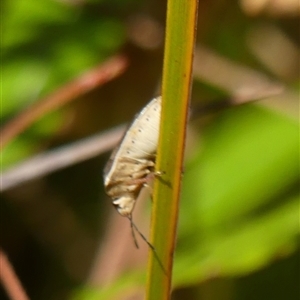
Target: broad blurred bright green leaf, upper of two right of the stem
(249, 156)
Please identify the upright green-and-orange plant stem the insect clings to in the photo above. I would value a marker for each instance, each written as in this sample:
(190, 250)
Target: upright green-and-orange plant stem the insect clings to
(178, 60)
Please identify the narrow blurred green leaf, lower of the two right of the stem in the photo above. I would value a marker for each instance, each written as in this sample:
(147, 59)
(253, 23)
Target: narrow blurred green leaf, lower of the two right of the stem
(248, 247)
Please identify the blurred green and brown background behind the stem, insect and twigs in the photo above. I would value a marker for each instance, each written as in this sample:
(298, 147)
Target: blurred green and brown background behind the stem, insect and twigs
(238, 235)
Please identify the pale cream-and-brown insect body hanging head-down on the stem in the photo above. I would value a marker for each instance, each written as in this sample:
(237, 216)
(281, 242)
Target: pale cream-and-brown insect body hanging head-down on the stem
(133, 160)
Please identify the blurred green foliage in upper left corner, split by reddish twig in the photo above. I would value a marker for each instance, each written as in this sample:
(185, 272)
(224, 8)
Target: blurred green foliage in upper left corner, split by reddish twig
(44, 44)
